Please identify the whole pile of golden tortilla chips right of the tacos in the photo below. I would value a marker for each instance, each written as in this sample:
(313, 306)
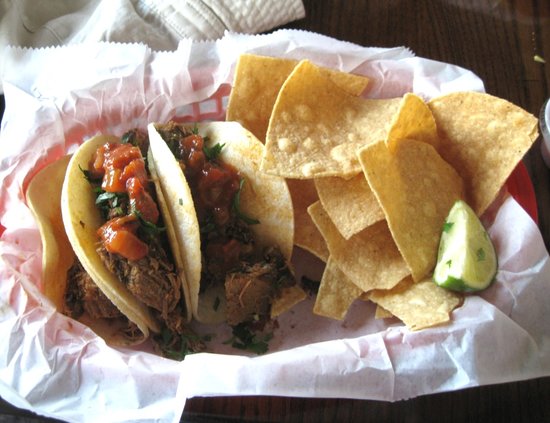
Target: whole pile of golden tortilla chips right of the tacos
(372, 180)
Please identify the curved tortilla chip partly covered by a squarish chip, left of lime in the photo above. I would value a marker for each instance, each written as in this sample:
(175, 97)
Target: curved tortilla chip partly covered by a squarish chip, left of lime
(369, 259)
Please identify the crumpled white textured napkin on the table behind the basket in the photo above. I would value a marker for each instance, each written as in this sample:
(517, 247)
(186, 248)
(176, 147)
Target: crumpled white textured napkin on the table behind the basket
(160, 24)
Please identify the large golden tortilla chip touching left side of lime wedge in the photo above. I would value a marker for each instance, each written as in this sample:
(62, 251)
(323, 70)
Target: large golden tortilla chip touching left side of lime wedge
(416, 189)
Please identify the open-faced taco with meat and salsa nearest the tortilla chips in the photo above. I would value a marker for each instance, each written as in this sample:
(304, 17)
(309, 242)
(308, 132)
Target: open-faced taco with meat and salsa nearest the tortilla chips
(237, 223)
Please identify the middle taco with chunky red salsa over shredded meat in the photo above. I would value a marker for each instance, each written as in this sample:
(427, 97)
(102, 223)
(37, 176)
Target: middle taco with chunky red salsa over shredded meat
(127, 271)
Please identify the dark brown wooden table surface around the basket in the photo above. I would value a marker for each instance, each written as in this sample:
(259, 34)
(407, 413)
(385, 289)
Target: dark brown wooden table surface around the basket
(498, 40)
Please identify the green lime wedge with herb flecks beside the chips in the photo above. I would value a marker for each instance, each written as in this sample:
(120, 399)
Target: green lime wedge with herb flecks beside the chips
(467, 260)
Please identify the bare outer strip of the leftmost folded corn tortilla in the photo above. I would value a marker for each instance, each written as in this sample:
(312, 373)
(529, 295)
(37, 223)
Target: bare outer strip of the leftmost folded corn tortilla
(44, 199)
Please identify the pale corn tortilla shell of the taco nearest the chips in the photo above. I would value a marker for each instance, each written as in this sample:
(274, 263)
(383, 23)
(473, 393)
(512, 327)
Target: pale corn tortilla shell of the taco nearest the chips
(266, 197)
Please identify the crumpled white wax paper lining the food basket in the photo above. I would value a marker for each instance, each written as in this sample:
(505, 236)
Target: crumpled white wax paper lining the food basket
(57, 97)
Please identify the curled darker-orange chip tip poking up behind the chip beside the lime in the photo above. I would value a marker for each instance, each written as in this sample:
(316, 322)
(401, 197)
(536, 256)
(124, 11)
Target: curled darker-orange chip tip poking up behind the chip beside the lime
(414, 120)
